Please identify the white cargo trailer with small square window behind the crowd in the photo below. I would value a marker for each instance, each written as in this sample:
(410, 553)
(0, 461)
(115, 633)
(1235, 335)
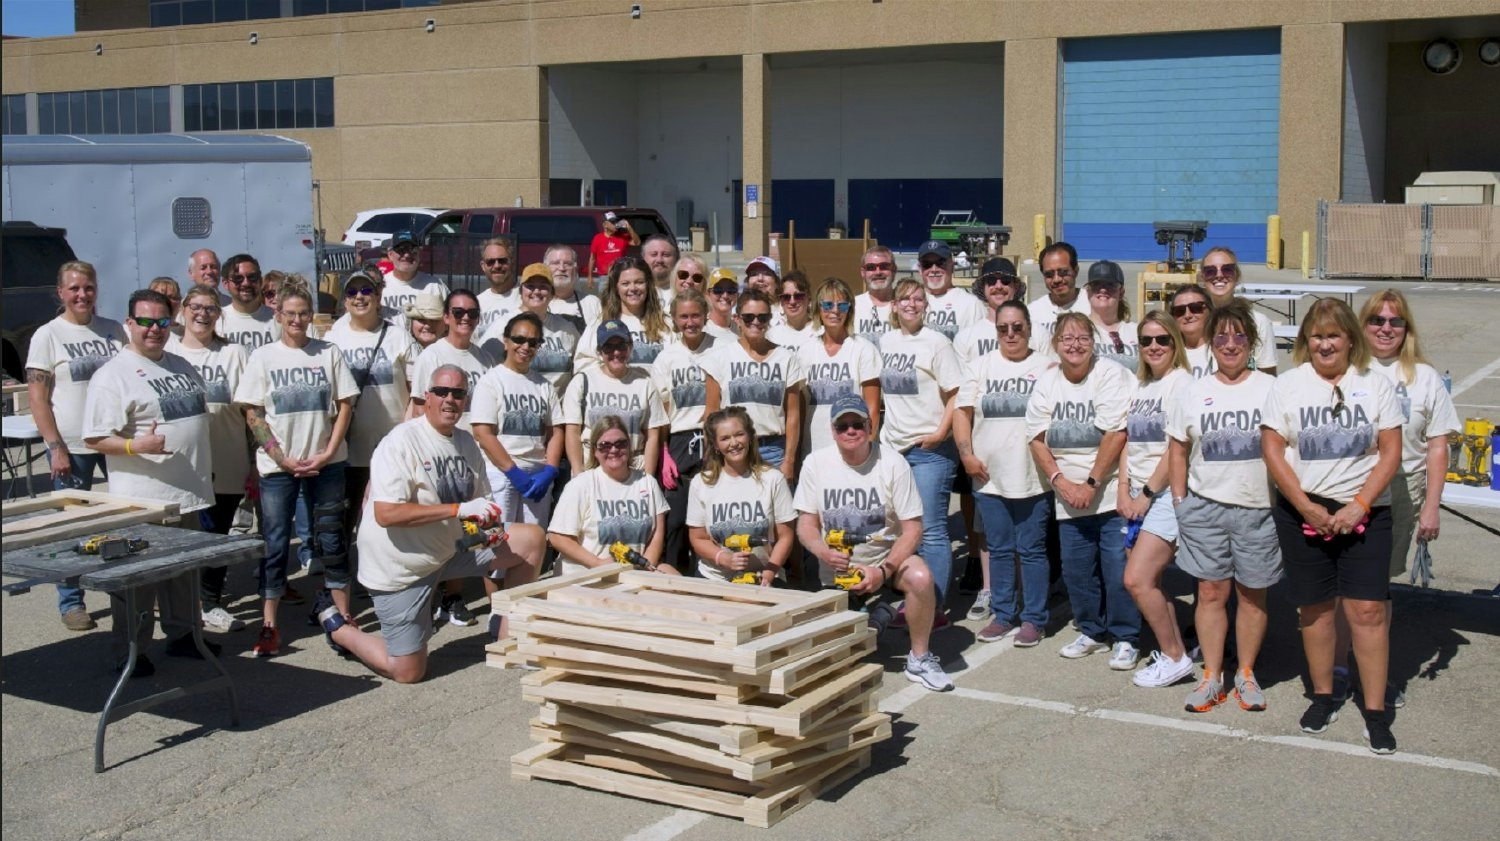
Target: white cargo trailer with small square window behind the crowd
(137, 206)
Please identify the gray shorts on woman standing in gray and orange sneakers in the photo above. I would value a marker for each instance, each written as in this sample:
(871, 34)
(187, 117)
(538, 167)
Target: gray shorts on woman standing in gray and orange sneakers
(1219, 542)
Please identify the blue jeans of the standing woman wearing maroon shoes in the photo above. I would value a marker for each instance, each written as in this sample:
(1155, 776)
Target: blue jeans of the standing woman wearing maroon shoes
(1018, 527)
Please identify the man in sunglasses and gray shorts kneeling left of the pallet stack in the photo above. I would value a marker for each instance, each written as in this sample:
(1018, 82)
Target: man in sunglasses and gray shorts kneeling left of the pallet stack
(424, 488)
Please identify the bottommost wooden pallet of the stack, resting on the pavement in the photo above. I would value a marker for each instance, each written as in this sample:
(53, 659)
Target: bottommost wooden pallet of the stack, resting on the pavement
(758, 806)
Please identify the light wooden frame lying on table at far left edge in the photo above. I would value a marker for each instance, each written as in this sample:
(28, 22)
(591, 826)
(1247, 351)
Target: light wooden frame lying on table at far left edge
(65, 515)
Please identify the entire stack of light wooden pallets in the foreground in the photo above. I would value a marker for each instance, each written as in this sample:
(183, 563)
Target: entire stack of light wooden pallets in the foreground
(733, 699)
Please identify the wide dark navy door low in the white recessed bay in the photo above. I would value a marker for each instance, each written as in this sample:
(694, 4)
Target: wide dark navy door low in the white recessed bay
(901, 211)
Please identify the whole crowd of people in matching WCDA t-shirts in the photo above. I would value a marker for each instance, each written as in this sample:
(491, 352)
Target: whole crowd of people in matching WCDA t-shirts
(670, 422)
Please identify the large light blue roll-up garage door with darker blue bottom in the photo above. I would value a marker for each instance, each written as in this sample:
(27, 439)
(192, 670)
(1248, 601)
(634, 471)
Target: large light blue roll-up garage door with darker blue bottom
(1174, 127)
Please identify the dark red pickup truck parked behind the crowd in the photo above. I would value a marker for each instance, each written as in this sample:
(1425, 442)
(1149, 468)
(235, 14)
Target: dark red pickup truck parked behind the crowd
(451, 244)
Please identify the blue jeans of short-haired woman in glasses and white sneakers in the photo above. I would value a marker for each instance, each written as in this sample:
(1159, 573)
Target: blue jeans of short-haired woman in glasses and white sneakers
(1094, 561)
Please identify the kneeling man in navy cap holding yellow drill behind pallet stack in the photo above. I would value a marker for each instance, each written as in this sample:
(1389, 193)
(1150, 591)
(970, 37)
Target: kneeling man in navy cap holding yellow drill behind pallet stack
(868, 492)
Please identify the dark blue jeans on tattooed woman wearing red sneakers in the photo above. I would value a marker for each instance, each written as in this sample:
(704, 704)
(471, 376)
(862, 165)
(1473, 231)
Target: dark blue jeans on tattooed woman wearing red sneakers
(278, 516)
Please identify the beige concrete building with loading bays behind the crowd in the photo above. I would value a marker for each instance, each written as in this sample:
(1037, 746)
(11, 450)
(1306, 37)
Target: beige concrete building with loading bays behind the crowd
(1100, 116)
